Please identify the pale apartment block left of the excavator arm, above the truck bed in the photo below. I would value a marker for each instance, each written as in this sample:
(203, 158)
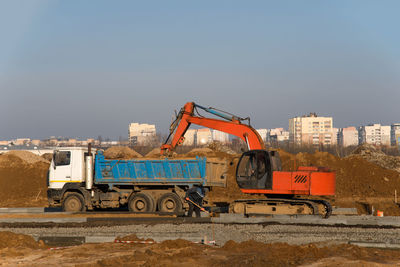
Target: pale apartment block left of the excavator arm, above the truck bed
(141, 133)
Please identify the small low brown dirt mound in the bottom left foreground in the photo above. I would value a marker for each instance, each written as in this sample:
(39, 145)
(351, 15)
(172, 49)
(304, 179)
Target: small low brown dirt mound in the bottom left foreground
(12, 240)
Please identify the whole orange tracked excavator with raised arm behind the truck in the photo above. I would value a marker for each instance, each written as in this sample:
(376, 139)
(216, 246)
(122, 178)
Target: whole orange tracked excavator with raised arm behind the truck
(259, 170)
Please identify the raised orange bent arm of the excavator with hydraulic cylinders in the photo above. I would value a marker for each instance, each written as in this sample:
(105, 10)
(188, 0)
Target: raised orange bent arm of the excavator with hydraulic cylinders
(231, 125)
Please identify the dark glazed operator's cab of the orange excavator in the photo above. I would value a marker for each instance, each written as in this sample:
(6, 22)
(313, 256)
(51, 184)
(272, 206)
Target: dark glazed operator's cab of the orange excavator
(255, 169)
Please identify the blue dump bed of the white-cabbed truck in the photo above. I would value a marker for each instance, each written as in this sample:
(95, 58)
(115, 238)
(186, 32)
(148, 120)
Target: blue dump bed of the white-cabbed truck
(153, 171)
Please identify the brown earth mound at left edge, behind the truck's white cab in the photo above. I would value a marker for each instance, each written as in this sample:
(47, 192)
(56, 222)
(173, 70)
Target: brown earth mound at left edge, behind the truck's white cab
(23, 184)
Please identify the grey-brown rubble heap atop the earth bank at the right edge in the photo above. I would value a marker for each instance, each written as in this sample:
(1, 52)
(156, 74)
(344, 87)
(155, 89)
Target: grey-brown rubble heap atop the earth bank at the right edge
(375, 155)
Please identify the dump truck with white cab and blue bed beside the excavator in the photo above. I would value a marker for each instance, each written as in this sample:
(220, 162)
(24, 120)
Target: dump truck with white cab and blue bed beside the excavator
(80, 178)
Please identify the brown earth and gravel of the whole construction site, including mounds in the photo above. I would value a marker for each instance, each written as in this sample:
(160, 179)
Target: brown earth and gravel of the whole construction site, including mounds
(367, 181)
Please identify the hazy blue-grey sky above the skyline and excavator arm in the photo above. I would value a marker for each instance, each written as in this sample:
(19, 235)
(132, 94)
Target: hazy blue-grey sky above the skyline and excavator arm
(87, 68)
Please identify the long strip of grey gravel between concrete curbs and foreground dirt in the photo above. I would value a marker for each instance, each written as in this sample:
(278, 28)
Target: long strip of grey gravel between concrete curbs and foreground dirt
(221, 233)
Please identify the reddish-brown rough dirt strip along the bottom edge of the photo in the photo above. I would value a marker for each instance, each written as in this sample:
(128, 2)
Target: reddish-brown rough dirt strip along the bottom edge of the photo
(184, 253)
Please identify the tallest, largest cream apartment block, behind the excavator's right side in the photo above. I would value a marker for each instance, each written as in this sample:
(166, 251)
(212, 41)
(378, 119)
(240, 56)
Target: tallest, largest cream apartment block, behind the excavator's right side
(311, 130)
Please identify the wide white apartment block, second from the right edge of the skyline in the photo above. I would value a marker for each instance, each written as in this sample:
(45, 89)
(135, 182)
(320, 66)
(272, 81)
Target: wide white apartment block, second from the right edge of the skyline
(374, 134)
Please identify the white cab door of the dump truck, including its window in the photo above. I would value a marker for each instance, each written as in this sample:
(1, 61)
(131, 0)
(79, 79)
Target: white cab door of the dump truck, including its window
(62, 167)
